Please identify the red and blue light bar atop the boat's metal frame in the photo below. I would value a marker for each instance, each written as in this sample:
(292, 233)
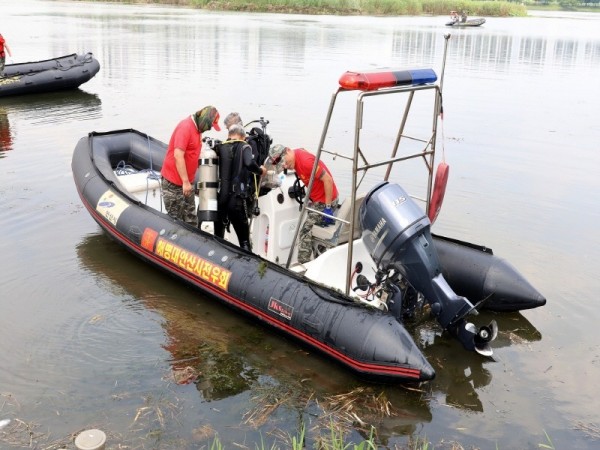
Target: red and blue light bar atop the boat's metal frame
(373, 80)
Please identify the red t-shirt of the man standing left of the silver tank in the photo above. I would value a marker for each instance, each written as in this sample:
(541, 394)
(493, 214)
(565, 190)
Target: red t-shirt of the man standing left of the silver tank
(186, 137)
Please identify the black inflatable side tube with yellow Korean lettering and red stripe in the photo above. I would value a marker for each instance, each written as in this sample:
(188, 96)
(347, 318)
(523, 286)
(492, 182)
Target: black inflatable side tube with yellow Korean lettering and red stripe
(368, 341)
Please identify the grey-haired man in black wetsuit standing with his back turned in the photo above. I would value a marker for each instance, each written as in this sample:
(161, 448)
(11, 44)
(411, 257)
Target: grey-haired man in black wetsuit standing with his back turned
(236, 166)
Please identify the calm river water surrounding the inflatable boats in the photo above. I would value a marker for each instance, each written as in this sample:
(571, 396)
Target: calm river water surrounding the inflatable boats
(92, 338)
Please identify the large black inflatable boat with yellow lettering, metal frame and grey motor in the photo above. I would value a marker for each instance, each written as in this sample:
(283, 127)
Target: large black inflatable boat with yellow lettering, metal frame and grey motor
(373, 270)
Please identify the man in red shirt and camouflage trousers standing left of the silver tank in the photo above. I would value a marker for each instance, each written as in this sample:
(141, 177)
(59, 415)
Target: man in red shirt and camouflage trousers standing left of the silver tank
(181, 162)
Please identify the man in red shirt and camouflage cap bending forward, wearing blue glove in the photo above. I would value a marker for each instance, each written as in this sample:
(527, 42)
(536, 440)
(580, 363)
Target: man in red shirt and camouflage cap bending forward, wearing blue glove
(323, 197)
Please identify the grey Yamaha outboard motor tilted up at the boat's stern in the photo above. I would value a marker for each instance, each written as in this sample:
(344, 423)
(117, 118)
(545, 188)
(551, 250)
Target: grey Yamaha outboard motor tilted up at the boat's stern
(397, 234)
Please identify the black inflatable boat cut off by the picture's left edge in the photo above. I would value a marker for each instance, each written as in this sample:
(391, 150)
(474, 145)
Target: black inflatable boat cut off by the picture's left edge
(65, 72)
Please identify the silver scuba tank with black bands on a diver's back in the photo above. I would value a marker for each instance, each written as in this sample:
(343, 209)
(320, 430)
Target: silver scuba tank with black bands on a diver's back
(208, 167)
